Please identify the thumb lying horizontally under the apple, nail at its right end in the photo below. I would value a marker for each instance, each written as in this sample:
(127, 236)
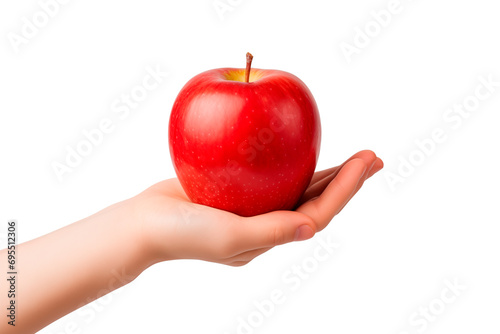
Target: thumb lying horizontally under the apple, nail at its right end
(272, 229)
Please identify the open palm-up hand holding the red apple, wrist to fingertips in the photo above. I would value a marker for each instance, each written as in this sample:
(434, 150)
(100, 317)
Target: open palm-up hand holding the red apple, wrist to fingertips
(175, 228)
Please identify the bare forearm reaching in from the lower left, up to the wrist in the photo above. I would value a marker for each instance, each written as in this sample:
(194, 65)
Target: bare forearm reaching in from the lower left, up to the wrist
(70, 267)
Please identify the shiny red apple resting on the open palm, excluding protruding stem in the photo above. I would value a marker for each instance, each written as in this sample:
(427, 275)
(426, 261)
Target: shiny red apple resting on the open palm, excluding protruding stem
(245, 147)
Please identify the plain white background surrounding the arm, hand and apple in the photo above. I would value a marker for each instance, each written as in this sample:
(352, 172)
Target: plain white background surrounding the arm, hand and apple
(398, 245)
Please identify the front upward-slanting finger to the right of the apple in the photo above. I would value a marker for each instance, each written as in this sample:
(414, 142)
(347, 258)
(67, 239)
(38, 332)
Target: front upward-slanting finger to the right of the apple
(323, 208)
